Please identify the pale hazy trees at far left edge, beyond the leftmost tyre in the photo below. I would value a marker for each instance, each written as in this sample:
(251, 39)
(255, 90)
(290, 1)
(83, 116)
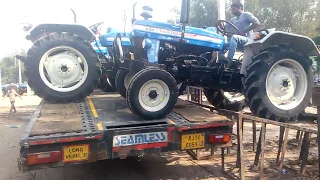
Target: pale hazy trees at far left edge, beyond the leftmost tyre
(10, 71)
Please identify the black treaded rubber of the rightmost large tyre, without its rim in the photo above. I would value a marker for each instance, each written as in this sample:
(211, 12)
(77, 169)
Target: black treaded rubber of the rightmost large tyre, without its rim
(255, 78)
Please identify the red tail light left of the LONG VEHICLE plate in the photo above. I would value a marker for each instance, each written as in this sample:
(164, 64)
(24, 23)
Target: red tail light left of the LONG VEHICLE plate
(44, 158)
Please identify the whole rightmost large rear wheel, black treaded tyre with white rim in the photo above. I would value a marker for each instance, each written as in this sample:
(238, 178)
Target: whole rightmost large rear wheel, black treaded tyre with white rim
(278, 84)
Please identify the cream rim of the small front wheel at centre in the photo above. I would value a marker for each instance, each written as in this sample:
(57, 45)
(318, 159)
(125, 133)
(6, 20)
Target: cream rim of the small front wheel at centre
(154, 95)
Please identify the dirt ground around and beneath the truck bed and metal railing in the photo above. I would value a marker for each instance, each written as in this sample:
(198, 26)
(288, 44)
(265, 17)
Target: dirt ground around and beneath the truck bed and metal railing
(168, 166)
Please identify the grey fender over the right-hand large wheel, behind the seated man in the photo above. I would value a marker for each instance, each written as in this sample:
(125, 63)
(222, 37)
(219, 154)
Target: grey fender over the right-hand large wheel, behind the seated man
(300, 43)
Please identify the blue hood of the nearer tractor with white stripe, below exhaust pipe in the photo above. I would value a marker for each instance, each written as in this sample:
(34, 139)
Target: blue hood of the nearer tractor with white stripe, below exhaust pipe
(172, 32)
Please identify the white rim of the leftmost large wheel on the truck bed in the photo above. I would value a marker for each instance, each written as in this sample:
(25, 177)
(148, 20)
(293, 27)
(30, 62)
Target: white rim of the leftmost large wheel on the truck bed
(63, 68)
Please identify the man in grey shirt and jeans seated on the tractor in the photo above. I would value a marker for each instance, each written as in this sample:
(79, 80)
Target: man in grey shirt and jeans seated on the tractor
(245, 22)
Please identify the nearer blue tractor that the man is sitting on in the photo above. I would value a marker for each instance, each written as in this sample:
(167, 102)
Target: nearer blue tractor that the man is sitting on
(273, 75)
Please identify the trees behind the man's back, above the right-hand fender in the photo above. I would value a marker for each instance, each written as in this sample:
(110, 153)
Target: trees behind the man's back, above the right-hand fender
(299, 17)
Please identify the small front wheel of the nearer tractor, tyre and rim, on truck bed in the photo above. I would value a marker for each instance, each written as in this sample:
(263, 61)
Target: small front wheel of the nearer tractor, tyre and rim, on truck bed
(152, 94)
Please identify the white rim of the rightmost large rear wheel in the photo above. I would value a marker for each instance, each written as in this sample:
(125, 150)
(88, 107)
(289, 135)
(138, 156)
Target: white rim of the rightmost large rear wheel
(286, 84)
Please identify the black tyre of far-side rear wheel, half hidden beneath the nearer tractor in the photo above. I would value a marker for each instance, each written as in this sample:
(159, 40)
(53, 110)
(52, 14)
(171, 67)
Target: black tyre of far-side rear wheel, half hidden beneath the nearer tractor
(219, 101)
